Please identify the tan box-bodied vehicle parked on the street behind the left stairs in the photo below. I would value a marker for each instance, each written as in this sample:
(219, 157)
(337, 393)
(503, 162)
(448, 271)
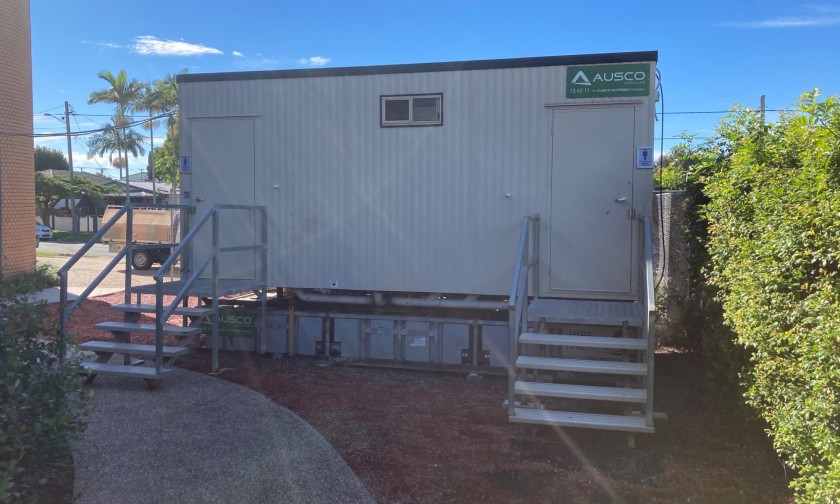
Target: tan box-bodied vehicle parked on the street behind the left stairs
(150, 226)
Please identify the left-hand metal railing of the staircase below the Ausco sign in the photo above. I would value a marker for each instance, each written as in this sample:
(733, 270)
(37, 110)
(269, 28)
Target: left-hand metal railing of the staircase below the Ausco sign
(527, 257)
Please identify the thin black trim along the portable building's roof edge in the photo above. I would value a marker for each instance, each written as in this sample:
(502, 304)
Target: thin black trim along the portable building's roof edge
(582, 59)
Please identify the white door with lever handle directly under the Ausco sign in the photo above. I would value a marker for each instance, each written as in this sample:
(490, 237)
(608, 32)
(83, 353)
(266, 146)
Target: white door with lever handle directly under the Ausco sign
(590, 235)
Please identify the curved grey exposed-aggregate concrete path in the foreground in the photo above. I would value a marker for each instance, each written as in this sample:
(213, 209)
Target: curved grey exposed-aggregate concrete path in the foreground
(200, 439)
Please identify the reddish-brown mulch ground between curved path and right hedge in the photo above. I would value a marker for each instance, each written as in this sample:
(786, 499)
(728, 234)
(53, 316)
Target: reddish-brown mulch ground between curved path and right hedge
(430, 437)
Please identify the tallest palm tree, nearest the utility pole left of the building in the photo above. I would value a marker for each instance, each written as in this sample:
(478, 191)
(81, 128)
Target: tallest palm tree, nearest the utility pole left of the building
(125, 94)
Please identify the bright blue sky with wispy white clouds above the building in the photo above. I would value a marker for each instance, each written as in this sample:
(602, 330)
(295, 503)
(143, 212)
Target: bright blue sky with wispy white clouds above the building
(712, 54)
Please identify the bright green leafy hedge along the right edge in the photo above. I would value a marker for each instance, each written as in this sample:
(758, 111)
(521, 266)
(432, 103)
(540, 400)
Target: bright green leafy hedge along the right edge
(773, 216)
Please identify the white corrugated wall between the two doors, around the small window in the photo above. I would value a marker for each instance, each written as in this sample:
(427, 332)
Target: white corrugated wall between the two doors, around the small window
(425, 209)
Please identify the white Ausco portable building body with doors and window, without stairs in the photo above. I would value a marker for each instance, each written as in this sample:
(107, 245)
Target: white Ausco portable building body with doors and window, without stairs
(414, 178)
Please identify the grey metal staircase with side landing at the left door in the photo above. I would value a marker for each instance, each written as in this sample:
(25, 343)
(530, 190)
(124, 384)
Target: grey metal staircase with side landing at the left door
(153, 362)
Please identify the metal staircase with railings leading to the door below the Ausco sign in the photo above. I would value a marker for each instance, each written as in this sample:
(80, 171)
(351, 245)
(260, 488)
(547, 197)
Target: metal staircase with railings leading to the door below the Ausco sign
(558, 377)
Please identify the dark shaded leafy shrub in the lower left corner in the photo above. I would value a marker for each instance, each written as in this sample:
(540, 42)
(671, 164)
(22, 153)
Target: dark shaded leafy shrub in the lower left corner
(41, 398)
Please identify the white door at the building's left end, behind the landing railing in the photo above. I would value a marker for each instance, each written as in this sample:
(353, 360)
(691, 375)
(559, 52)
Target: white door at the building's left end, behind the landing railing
(222, 151)
